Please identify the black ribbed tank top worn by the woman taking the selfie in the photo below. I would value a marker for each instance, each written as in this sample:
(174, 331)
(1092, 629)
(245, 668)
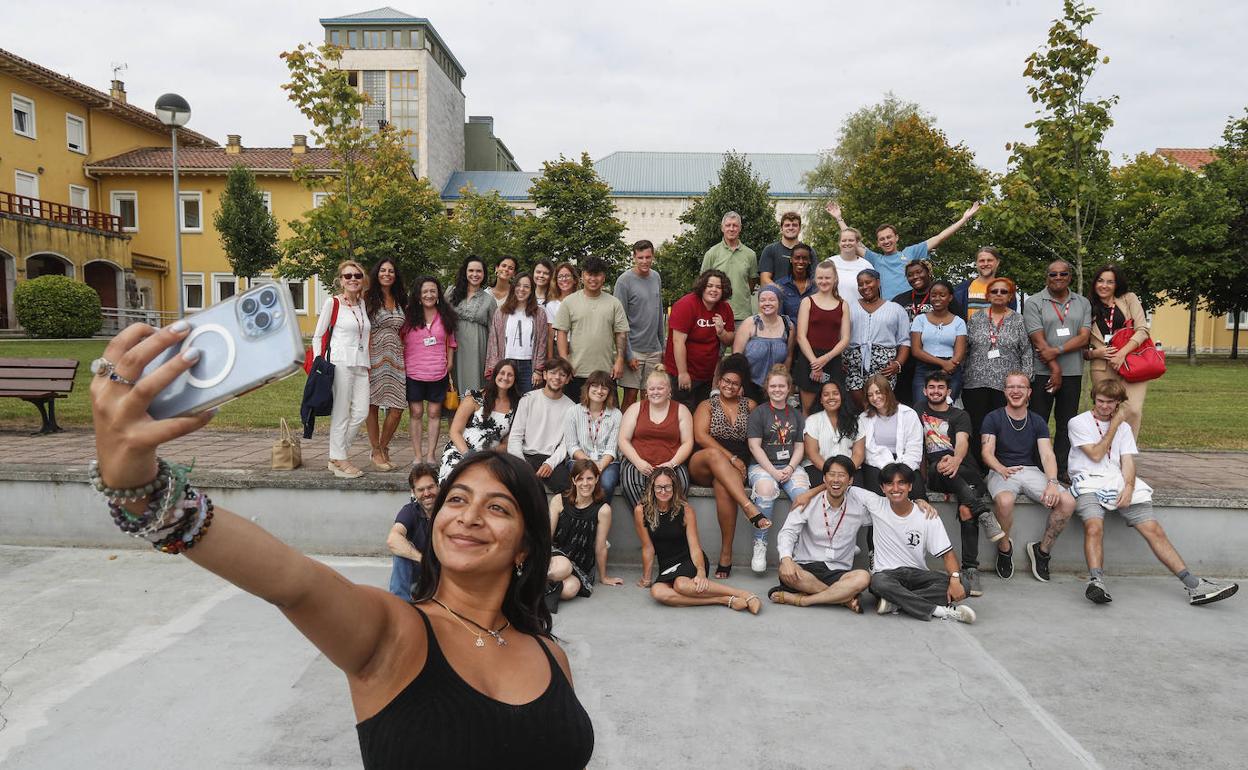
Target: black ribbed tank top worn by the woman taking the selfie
(440, 721)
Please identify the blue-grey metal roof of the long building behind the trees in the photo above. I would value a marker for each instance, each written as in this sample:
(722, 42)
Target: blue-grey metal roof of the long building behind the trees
(655, 175)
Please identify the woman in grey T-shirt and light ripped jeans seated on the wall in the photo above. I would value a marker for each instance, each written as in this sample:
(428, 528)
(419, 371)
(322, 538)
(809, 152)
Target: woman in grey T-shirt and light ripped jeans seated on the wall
(774, 435)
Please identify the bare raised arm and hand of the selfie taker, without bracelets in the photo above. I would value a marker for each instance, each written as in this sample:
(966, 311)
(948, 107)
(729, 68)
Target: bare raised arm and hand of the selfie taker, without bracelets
(344, 621)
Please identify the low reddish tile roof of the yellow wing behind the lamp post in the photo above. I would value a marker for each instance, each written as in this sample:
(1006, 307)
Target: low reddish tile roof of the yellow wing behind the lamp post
(190, 160)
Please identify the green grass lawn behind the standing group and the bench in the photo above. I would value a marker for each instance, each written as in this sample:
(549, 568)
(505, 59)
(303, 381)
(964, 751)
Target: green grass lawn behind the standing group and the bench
(1200, 407)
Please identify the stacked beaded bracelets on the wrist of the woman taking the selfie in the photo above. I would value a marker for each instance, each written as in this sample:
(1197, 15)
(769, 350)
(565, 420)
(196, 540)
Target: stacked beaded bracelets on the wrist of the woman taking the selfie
(177, 516)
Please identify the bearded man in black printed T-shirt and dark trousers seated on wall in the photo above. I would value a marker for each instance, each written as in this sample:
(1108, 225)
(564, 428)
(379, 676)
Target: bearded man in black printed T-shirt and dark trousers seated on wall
(952, 469)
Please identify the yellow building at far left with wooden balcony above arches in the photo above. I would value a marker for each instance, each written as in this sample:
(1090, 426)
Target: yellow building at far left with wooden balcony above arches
(56, 219)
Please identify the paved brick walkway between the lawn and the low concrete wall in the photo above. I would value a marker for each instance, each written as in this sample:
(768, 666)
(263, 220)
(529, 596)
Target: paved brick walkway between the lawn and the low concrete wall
(1194, 474)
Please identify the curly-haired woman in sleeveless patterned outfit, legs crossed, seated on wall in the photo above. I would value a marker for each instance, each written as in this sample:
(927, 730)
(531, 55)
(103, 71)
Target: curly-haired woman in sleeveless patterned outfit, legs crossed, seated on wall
(723, 455)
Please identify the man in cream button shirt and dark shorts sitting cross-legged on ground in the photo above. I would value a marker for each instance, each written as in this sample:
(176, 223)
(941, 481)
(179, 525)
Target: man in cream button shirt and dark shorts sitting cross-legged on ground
(819, 541)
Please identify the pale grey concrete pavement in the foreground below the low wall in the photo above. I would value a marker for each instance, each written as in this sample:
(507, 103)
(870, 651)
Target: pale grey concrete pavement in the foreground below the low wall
(132, 660)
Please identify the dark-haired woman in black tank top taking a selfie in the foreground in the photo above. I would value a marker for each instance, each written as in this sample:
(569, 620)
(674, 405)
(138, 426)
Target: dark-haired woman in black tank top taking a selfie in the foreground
(475, 647)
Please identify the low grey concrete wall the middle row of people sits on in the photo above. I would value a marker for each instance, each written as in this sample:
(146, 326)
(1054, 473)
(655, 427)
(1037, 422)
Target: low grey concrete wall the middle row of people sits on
(316, 514)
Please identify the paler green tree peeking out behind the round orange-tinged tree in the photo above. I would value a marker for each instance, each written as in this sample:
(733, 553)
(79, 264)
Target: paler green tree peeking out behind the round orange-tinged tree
(858, 137)
